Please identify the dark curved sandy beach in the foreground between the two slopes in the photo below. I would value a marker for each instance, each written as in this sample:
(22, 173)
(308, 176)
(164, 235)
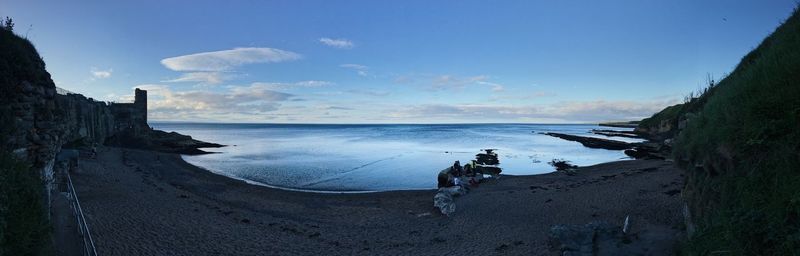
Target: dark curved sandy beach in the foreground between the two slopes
(148, 203)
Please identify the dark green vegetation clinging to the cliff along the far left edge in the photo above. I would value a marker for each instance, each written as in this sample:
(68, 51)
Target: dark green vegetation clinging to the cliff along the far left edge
(24, 229)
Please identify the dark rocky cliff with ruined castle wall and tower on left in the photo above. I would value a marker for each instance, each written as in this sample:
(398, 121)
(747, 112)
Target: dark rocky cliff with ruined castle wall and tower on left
(37, 120)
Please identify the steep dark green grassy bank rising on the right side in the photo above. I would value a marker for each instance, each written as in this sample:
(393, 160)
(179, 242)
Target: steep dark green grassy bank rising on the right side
(740, 144)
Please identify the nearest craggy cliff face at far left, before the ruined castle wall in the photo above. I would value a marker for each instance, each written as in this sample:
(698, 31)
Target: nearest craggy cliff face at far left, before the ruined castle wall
(30, 125)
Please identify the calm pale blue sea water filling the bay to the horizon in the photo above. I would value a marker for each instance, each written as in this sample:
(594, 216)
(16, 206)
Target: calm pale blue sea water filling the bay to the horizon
(378, 157)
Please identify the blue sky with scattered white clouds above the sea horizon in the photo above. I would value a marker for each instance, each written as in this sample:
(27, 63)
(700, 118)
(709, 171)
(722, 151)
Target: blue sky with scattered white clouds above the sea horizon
(394, 61)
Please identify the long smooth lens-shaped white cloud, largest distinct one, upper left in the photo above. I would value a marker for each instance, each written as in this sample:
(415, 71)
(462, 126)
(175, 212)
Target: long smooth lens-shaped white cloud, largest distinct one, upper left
(227, 59)
